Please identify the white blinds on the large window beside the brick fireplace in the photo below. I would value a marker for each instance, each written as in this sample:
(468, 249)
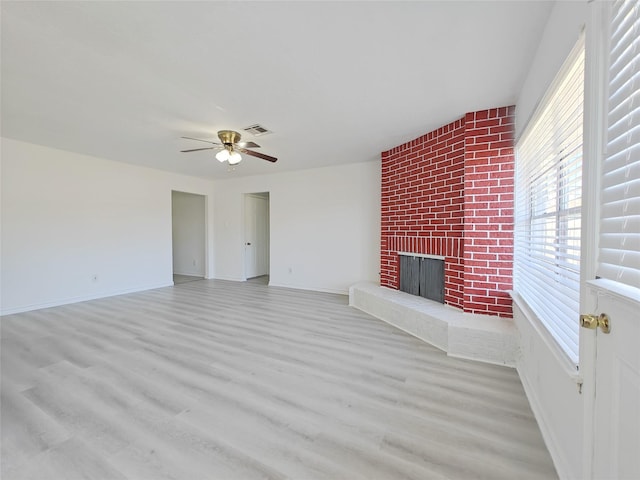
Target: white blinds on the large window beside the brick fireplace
(548, 183)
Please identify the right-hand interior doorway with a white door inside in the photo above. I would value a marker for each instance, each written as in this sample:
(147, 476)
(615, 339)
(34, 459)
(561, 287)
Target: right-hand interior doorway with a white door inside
(256, 235)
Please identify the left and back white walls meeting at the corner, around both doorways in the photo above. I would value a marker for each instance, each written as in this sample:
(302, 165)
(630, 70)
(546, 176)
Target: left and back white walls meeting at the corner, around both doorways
(67, 218)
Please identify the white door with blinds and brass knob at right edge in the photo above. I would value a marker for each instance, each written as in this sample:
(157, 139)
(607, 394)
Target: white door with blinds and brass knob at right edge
(612, 408)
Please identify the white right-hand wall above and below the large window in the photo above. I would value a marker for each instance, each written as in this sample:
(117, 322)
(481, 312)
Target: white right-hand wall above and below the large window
(549, 381)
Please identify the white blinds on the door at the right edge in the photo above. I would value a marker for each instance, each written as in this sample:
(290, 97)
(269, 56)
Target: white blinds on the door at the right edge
(619, 247)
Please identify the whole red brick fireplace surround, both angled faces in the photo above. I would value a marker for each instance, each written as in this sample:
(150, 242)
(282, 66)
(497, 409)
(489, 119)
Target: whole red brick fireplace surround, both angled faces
(449, 193)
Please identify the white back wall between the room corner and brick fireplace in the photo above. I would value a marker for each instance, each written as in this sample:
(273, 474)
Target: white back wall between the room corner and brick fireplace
(325, 226)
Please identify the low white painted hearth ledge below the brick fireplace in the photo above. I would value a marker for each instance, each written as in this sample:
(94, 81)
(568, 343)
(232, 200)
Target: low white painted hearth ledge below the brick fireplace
(484, 338)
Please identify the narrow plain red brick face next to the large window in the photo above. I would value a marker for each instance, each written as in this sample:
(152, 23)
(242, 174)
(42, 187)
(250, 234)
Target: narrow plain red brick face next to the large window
(488, 211)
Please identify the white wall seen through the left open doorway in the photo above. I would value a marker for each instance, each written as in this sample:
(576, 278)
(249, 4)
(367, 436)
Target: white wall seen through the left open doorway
(188, 226)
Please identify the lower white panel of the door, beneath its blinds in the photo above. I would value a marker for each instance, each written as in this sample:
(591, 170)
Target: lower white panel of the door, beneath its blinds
(616, 407)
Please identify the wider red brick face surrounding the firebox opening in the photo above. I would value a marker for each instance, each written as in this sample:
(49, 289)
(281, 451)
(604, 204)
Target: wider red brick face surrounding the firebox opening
(422, 205)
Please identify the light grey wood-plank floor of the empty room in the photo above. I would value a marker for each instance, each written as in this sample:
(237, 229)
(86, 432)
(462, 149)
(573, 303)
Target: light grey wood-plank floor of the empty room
(225, 380)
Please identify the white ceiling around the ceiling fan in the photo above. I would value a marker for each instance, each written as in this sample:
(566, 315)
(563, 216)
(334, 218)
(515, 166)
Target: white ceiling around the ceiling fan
(336, 82)
